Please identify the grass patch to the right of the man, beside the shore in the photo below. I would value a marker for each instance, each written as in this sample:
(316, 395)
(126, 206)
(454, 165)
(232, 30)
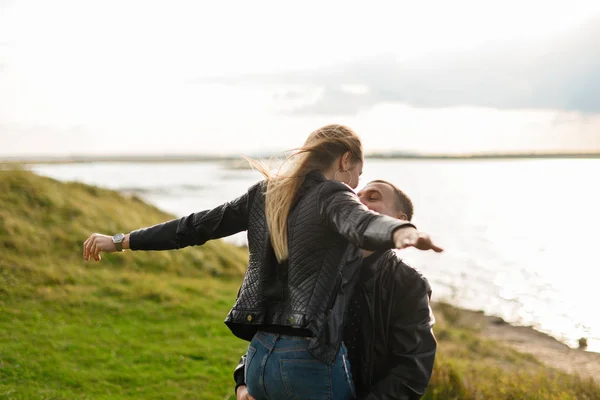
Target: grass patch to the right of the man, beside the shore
(470, 367)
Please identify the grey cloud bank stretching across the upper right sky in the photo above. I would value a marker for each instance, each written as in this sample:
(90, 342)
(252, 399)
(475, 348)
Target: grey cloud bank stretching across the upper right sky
(558, 74)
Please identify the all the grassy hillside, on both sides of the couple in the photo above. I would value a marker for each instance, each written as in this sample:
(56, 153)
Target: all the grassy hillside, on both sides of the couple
(150, 325)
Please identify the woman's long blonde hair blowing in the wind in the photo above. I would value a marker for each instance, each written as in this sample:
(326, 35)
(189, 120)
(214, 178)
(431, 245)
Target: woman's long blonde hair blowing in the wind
(320, 150)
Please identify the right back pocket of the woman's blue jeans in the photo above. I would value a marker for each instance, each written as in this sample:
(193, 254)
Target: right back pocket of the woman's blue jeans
(306, 379)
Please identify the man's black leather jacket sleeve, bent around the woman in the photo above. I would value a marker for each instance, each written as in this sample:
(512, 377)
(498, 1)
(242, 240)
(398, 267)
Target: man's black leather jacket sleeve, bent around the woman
(412, 343)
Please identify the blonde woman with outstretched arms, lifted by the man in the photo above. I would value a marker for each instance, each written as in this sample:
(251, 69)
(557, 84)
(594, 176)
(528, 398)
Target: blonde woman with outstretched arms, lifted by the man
(305, 231)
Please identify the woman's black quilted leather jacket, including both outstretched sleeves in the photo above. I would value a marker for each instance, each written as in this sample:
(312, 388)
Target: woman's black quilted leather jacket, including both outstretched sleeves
(311, 290)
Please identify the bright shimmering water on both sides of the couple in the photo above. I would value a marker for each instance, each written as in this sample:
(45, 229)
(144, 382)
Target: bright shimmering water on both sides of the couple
(520, 235)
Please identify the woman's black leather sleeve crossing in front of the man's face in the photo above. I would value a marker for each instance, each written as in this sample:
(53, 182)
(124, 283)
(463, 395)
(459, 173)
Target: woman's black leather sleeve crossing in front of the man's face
(344, 213)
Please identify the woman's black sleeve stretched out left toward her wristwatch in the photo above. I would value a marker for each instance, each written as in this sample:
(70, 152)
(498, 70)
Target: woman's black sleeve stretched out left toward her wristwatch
(196, 229)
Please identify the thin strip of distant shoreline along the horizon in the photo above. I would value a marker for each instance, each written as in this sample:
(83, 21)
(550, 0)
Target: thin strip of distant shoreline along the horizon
(229, 158)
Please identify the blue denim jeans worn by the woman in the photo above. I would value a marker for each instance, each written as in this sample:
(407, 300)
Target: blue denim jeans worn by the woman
(281, 367)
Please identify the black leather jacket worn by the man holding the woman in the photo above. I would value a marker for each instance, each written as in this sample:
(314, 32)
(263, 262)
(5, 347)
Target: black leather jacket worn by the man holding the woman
(398, 349)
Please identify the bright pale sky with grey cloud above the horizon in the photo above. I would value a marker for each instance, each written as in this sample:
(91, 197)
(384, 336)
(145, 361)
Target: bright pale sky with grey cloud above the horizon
(135, 77)
